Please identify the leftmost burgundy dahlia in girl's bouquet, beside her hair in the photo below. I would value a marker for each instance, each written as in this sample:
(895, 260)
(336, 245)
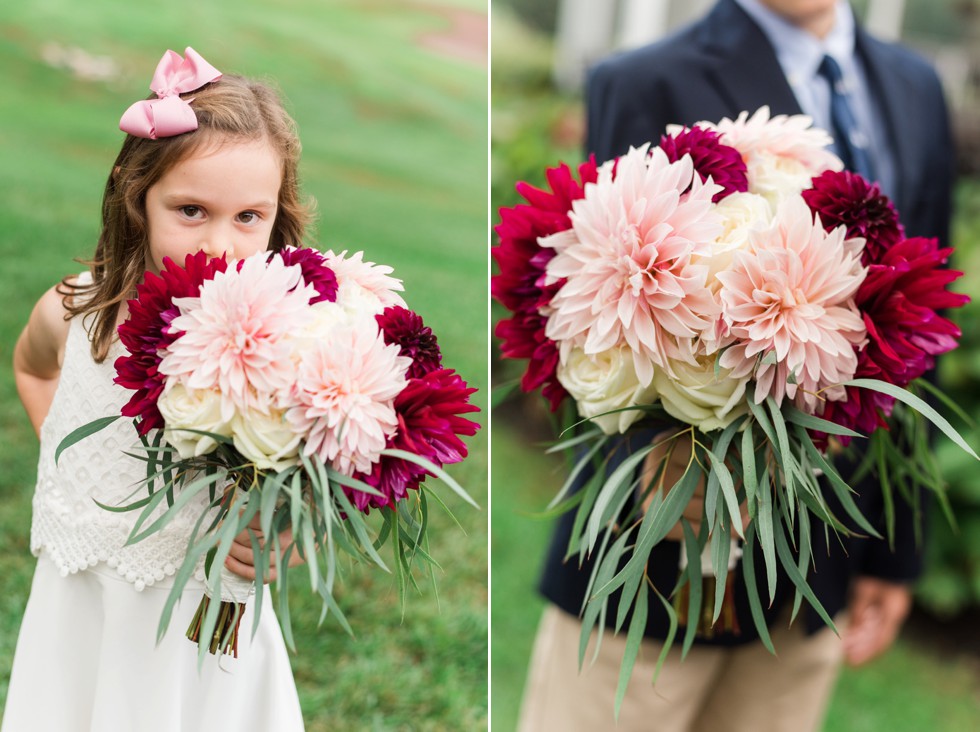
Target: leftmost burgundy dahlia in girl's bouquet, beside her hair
(146, 332)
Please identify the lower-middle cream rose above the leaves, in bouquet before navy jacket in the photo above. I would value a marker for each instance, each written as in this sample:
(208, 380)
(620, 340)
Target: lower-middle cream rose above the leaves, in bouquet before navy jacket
(696, 395)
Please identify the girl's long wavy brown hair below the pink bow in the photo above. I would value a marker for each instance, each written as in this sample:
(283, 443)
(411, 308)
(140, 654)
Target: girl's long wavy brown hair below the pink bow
(231, 108)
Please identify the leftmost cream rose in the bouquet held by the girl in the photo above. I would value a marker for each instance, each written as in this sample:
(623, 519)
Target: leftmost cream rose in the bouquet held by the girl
(198, 409)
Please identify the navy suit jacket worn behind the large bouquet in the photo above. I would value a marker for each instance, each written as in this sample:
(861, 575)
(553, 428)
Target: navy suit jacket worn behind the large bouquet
(715, 68)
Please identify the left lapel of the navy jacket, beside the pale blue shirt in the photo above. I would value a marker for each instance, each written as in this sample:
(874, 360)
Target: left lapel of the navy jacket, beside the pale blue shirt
(746, 72)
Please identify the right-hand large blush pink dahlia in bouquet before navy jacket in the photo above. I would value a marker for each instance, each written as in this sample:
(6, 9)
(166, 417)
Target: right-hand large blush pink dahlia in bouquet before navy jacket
(788, 309)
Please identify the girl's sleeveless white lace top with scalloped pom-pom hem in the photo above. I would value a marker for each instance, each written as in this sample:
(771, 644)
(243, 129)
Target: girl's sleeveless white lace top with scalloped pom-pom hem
(67, 524)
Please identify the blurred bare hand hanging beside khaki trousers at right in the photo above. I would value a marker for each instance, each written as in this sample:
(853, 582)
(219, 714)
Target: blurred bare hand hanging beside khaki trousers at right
(876, 612)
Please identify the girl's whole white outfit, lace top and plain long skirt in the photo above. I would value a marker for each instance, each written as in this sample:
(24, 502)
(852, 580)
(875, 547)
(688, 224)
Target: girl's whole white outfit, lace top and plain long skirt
(87, 657)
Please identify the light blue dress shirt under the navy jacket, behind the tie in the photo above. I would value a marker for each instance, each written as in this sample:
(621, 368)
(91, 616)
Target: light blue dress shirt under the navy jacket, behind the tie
(799, 54)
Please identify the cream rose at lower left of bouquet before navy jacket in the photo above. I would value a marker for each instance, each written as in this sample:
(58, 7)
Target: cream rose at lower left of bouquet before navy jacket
(603, 382)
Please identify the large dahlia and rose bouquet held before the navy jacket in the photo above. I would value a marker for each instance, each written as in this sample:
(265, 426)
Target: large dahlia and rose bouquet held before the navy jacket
(735, 280)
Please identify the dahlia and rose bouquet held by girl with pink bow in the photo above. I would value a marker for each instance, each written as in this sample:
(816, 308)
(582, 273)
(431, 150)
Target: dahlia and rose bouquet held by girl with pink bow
(296, 392)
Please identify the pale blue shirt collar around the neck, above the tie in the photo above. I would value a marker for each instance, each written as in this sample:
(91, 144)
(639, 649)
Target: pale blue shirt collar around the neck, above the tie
(799, 52)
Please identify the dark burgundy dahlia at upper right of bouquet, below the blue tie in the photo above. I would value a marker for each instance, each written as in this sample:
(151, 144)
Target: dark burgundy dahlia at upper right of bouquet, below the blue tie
(843, 198)
